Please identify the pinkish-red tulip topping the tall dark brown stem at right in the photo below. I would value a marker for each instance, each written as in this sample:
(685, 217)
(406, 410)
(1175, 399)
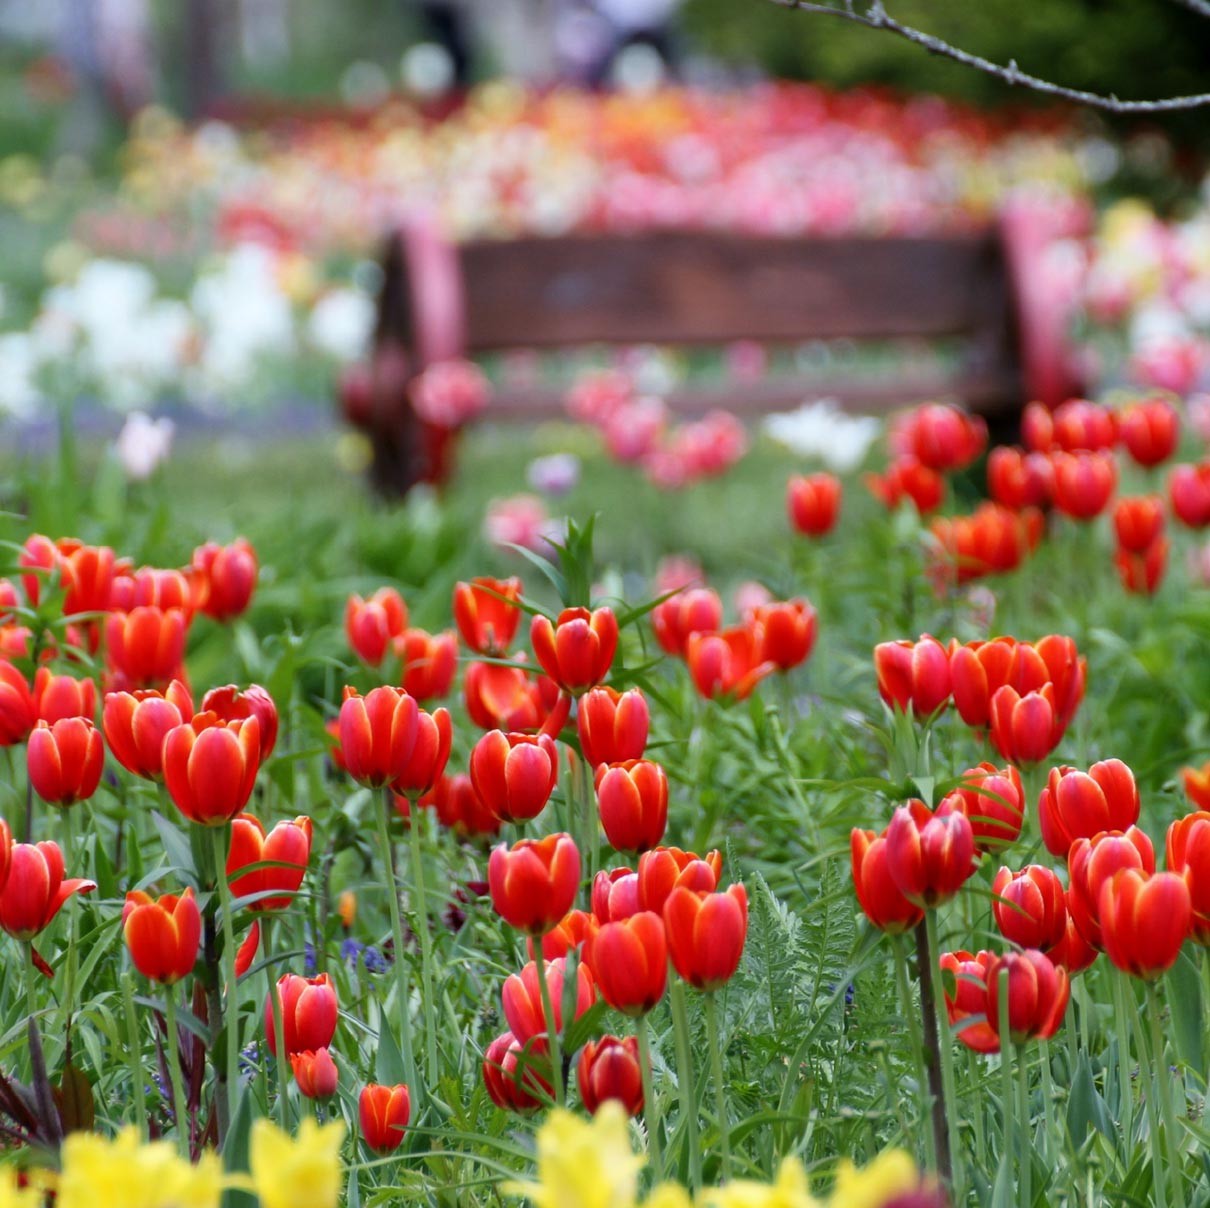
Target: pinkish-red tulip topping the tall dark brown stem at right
(930, 856)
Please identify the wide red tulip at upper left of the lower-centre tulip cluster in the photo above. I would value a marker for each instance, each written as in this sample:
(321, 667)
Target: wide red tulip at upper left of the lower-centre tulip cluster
(534, 883)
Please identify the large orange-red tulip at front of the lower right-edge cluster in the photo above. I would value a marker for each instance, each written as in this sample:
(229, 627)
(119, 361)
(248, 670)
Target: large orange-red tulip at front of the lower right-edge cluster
(1145, 921)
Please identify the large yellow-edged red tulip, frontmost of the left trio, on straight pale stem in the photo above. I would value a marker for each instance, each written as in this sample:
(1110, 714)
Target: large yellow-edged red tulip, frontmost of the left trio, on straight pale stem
(210, 767)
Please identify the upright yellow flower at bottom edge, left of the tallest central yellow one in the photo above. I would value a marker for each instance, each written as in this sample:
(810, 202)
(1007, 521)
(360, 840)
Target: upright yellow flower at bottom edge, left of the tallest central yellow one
(297, 1174)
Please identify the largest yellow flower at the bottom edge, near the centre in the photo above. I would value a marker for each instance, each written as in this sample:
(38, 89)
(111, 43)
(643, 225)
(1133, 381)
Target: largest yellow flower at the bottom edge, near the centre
(584, 1164)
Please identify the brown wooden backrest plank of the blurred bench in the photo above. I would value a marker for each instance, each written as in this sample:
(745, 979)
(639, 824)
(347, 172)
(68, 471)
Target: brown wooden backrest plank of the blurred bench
(711, 289)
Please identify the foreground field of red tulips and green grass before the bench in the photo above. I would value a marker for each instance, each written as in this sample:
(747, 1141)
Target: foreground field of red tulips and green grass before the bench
(794, 839)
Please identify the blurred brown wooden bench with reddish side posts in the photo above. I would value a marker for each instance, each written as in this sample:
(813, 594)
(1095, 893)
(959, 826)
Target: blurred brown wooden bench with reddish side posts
(696, 289)
